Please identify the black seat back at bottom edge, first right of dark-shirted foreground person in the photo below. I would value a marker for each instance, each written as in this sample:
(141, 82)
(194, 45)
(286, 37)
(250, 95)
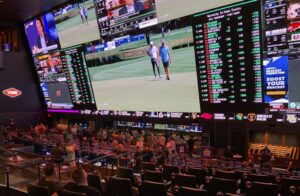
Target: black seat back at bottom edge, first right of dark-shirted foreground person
(119, 187)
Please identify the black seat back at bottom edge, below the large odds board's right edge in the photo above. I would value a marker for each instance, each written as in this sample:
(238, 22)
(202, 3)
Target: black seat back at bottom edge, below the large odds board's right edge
(261, 188)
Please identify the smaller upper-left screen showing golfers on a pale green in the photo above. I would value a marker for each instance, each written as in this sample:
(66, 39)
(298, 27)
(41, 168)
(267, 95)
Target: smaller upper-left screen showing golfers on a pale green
(76, 23)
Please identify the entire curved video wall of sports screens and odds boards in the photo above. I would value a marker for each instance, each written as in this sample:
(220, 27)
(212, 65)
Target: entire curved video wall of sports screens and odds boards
(220, 59)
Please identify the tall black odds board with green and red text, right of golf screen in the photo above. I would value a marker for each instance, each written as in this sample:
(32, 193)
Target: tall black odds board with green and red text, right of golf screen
(229, 58)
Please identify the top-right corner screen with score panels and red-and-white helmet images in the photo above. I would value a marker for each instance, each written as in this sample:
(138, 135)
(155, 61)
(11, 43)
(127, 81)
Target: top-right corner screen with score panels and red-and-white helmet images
(282, 27)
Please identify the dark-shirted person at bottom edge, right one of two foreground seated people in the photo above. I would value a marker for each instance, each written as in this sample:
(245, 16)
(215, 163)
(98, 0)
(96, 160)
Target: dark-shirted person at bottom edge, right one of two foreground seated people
(80, 184)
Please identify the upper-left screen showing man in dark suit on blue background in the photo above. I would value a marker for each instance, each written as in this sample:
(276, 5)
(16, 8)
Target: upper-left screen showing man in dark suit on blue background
(42, 34)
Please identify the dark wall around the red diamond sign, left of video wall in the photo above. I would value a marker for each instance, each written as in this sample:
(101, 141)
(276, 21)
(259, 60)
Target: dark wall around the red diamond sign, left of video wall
(19, 73)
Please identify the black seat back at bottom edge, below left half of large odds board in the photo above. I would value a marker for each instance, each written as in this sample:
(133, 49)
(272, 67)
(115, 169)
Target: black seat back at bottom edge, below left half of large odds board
(223, 185)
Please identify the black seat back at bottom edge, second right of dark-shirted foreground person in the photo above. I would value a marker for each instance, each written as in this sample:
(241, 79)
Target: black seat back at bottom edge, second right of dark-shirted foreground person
(149, 188)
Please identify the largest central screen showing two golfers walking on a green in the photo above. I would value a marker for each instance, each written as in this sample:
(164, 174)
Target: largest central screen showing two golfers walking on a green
(147, 71)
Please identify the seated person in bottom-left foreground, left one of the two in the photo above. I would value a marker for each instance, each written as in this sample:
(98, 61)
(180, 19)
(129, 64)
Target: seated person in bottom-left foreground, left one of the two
(50, 180)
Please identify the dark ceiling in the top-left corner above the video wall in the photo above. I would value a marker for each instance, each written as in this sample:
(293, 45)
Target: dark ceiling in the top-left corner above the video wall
(19, 11)
